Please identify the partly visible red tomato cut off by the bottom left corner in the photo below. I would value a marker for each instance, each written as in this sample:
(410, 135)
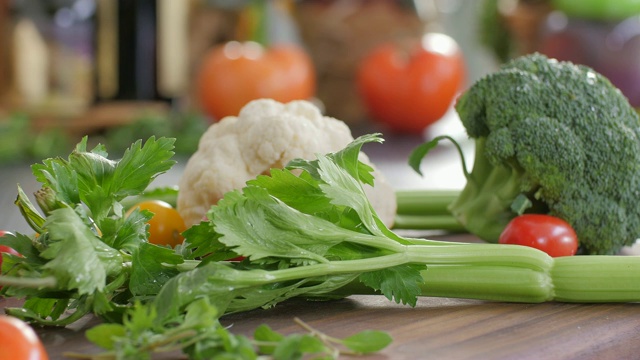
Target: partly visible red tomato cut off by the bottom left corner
(18, 341)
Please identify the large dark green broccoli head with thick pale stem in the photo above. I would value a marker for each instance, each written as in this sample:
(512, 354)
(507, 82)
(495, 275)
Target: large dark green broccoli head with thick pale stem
(560, 136)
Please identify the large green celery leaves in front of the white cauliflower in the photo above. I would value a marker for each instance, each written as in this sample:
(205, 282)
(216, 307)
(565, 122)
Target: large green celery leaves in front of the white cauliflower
(305, 250)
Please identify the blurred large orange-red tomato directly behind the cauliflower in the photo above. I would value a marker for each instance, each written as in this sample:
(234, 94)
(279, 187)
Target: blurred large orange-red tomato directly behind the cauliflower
(235, 73)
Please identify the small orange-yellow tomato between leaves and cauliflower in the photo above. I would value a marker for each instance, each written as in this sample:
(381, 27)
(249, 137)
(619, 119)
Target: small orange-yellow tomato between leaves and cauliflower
(166, 225)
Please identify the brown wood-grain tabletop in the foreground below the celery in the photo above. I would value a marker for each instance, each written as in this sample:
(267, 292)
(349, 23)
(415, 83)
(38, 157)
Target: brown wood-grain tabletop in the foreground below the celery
(437, 328)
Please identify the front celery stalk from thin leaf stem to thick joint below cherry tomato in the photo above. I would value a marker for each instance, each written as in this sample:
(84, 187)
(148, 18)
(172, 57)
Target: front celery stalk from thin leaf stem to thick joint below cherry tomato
(487, 272)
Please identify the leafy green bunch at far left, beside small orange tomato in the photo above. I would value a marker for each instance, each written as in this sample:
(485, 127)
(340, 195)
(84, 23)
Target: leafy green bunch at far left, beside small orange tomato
(83, 242)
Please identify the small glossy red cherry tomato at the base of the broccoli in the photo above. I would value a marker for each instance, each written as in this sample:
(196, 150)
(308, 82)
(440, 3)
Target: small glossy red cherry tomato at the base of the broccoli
(547, 233)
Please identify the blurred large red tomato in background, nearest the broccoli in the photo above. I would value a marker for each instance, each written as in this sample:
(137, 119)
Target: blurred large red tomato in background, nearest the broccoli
(406, 91)
